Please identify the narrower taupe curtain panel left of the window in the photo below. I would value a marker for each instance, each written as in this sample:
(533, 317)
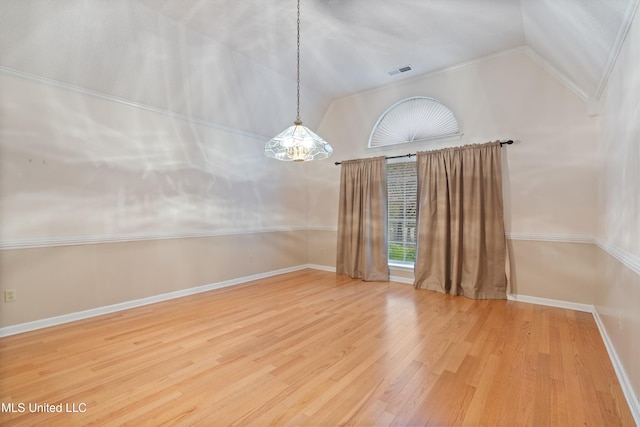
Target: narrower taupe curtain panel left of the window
(362, 220)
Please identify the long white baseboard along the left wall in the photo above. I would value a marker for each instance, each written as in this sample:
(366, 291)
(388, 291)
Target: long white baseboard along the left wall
(80, 315)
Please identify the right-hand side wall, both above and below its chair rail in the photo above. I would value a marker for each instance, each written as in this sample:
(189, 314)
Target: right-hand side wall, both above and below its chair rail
(617, 296)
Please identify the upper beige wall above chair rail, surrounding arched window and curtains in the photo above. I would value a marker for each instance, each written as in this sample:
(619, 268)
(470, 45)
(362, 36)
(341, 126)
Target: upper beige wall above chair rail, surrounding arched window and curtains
(550, 173)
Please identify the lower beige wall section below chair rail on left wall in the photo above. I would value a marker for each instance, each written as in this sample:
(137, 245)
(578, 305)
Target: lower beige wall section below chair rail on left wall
(54, 281)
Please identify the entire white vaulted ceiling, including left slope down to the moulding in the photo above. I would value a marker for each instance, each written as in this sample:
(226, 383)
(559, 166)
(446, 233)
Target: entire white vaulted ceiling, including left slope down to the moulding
(205, 58)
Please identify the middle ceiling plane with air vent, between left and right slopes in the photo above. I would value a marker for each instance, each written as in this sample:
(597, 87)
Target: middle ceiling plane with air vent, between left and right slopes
(350, 45)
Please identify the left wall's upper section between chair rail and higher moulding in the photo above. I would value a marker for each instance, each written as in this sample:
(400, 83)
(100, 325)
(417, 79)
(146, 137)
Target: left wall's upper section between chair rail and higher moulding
(74, 164)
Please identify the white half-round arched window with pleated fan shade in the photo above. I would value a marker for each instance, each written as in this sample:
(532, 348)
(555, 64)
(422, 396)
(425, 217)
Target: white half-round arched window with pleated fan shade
(414, 119)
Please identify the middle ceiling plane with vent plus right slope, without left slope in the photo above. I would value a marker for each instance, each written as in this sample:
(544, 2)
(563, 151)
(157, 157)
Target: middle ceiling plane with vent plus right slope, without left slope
(350, 45)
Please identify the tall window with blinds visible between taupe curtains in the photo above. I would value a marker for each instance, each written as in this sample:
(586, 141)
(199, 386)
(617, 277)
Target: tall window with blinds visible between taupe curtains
(402, 190)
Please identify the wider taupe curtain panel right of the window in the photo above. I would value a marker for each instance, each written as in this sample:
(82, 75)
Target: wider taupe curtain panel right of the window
(461, 239)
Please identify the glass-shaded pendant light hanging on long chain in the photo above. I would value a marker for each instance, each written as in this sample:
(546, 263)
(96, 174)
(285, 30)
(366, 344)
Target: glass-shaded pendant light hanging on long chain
(298, 143)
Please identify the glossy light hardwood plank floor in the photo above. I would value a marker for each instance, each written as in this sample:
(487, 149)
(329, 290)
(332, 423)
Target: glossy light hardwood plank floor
(312, 348)
